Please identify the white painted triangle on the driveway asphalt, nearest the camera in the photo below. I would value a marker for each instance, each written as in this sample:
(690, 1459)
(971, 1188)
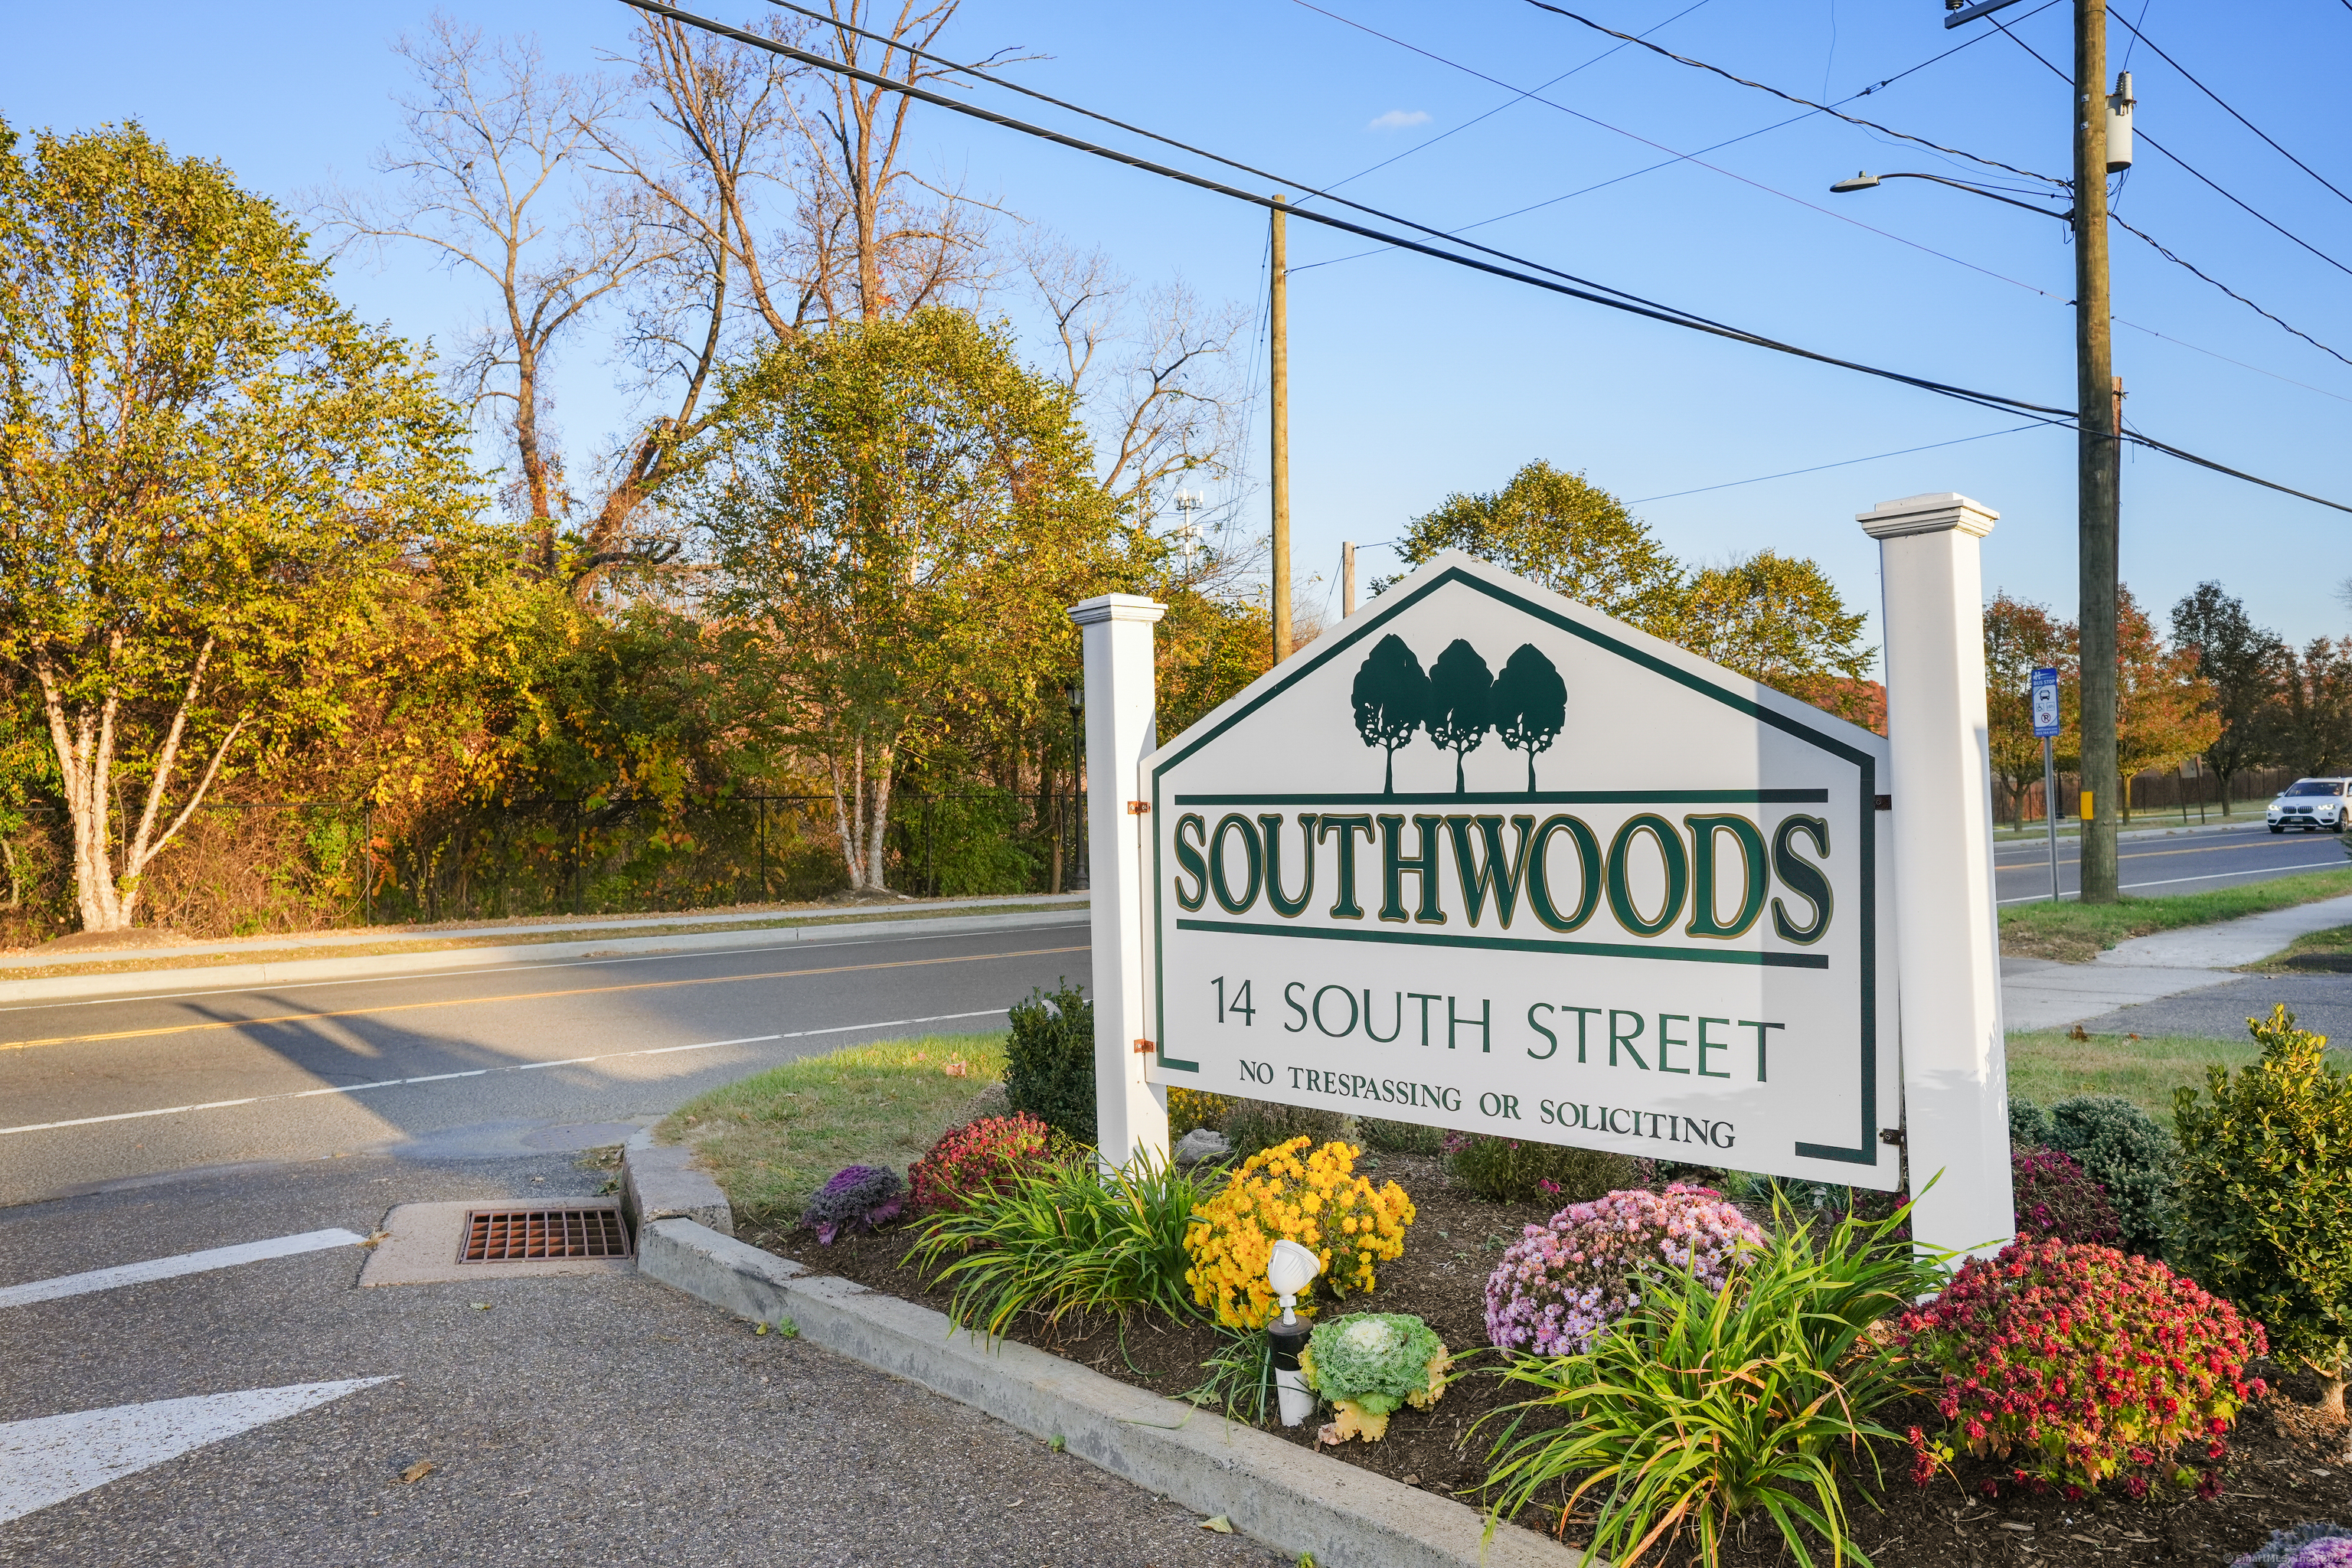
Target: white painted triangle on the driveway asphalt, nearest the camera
(65, 1456)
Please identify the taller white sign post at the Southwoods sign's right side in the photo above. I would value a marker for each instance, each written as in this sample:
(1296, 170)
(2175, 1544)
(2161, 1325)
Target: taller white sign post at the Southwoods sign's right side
(1956, 1076)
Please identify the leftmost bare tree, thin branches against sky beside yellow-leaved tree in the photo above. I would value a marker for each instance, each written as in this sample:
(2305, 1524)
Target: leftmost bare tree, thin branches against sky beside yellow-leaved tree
(495, 180)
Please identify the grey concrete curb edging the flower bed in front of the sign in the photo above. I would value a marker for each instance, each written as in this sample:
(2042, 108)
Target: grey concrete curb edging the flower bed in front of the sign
(1274, 1492)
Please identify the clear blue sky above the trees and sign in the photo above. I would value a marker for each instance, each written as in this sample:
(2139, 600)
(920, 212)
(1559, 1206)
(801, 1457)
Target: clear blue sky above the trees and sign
(1415, 380)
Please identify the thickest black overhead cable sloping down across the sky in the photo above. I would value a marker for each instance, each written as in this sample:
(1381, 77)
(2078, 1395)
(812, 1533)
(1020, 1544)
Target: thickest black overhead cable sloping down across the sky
(1631, 304)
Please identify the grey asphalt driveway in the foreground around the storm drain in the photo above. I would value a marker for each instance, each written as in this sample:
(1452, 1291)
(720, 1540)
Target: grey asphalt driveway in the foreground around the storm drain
(568, 1421)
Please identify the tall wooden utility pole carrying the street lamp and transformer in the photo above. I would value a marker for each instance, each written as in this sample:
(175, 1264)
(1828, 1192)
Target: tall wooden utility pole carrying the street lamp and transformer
(2094, 457)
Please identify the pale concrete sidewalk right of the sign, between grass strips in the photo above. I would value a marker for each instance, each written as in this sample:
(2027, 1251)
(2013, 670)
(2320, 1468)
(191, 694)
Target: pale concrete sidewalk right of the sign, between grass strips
(2047, 996)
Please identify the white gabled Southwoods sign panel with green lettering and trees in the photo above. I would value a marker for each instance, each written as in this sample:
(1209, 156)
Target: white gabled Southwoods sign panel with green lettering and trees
(1492, 862)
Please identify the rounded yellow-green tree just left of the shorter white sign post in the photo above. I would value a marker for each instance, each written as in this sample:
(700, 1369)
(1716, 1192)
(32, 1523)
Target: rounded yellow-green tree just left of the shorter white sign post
(900, 514)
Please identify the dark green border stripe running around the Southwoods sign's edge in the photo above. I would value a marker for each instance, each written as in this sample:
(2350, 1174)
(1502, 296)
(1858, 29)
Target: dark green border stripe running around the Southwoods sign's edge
(1866, 1148)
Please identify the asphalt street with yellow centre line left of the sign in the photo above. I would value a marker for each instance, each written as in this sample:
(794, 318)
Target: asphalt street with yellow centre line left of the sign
(514, 1061)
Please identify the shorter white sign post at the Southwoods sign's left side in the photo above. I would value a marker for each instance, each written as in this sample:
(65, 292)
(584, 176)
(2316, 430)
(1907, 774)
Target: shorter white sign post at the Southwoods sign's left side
(1121, 732)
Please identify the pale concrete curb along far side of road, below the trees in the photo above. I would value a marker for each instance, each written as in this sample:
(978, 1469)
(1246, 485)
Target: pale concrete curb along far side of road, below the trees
(448, 960)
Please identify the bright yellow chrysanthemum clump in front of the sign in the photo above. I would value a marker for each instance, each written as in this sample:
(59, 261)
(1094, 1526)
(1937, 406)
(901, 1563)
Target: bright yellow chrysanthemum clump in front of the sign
(1318, 1202)
